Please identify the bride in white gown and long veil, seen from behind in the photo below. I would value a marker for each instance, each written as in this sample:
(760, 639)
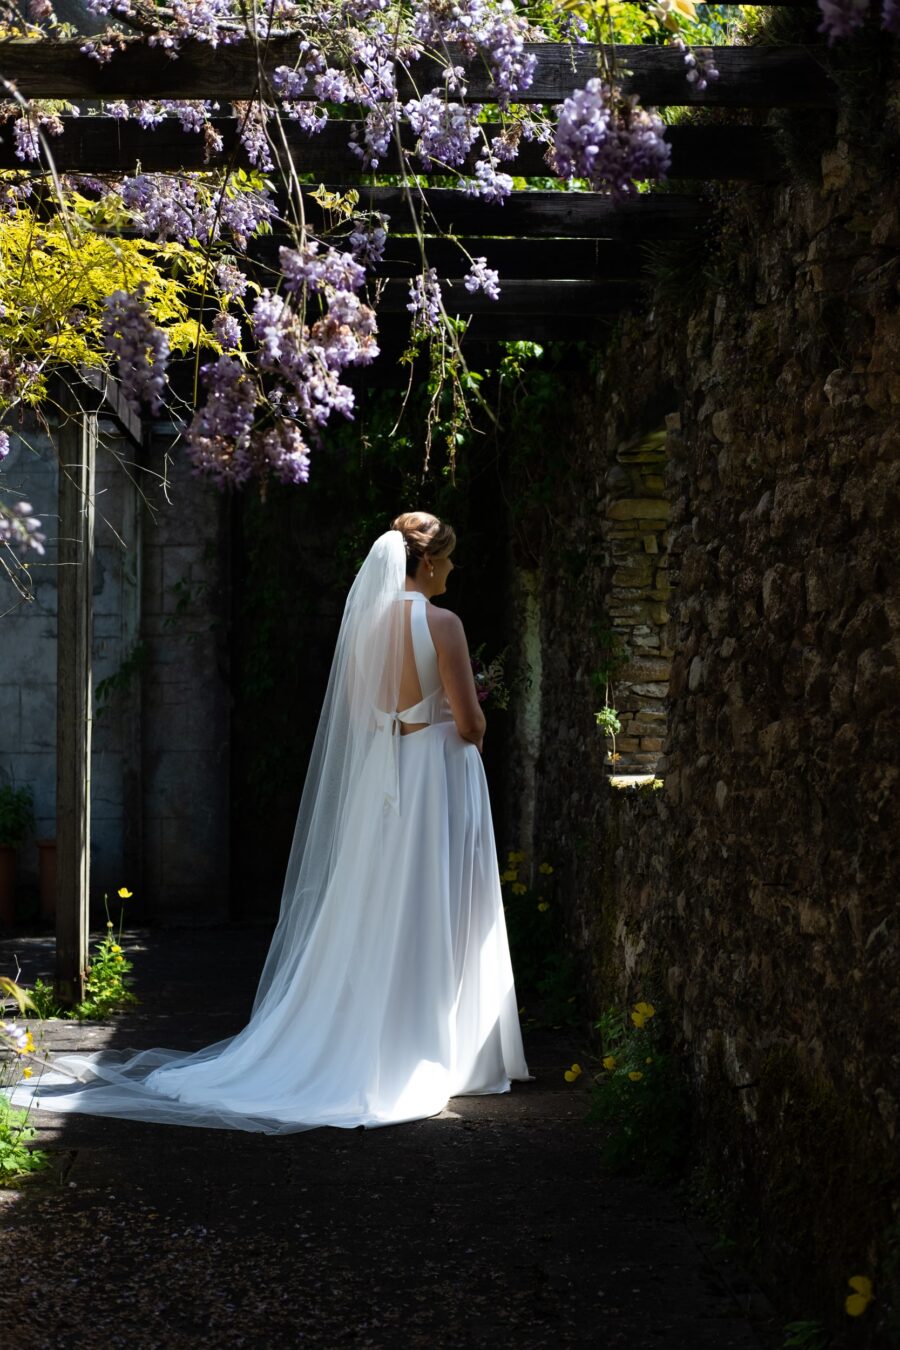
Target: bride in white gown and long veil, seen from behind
(388, 988)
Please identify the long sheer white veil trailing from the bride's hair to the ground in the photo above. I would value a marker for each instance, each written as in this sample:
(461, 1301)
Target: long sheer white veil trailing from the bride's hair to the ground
(238, 1083)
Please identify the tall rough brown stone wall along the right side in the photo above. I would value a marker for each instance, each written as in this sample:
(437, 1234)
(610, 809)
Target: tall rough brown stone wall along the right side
(752, 897)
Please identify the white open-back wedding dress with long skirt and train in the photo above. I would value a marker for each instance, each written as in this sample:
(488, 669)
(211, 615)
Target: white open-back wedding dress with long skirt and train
(401, 996)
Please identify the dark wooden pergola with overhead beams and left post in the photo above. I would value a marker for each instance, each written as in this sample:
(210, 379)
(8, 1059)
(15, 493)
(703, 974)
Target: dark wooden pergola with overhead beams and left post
(570, 263)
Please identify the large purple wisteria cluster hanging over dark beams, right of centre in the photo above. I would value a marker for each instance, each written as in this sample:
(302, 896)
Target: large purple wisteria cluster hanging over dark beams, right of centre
(609, 141)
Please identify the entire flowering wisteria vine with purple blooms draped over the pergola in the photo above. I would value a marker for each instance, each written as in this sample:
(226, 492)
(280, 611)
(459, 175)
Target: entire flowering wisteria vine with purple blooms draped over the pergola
(279, 341)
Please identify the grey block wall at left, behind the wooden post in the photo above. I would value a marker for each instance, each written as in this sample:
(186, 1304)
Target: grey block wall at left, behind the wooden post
(161, 745)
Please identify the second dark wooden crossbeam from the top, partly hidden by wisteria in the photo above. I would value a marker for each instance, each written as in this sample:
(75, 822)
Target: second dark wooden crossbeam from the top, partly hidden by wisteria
(99, 144)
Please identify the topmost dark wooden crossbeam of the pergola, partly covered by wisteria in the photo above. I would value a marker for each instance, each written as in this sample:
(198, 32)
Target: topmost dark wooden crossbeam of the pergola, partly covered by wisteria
(751, 78)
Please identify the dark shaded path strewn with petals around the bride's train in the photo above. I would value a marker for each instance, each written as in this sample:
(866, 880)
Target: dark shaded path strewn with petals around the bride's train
(490, 1225)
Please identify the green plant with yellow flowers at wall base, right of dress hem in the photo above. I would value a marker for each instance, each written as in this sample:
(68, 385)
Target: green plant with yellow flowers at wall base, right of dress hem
(640, 1097)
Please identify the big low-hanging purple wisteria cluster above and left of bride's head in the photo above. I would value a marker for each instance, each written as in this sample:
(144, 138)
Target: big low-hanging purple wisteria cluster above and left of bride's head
(265, 421)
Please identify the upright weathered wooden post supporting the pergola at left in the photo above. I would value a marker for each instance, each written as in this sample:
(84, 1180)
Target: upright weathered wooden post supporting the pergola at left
(78, 445)
